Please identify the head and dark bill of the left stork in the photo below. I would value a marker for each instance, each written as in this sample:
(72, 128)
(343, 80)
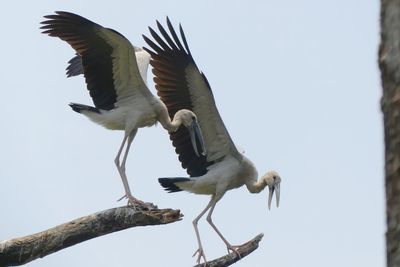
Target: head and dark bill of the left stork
(189, 120)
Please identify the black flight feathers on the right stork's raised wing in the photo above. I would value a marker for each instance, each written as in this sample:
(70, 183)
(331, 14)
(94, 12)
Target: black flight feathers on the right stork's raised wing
(169, 63)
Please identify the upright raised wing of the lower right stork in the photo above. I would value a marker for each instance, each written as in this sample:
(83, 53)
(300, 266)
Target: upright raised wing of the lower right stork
(181, 85)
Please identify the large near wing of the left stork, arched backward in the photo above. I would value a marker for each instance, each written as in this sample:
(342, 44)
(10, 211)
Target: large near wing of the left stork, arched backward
(108, 58)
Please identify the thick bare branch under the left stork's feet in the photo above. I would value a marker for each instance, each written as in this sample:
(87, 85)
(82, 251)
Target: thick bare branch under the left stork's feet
(21, 250)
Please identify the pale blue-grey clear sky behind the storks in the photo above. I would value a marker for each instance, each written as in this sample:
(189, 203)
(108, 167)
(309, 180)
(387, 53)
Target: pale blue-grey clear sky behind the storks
(298, 87)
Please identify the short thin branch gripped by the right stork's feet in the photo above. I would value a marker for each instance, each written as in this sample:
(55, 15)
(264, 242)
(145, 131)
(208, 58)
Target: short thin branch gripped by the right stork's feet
(231, 258)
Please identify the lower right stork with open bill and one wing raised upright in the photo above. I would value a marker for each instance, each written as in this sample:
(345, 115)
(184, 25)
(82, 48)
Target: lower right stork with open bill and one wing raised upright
(180, 84)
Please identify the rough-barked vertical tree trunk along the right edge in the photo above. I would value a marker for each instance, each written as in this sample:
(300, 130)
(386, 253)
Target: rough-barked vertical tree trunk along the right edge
(389, 63)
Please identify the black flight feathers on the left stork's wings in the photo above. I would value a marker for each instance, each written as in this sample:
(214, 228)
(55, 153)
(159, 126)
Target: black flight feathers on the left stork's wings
(94, 51)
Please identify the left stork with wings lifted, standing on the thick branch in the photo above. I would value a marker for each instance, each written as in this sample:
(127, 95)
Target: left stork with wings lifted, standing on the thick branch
(116, 84)
